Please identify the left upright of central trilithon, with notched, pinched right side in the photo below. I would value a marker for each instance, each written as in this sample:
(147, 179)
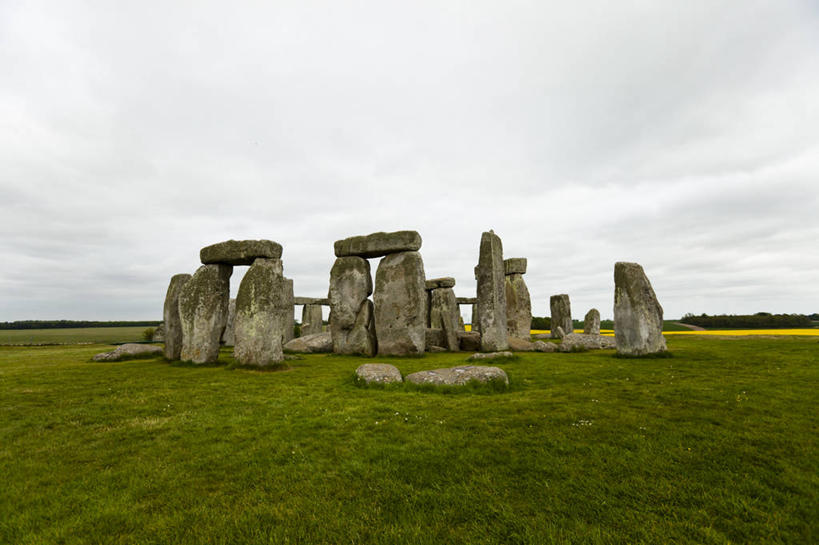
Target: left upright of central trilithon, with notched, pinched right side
(351, 317)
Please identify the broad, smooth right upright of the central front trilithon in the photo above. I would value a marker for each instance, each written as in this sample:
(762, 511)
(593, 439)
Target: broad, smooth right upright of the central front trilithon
(400, 304)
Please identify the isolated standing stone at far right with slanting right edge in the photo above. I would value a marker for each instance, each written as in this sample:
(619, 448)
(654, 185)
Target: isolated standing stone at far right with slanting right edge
(638, 316)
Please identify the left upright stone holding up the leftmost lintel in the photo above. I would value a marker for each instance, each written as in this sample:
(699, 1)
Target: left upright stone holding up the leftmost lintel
(203, 310)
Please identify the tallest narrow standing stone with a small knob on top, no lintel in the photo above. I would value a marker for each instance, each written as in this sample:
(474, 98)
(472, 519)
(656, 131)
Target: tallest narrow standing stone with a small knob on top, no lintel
(492, 294)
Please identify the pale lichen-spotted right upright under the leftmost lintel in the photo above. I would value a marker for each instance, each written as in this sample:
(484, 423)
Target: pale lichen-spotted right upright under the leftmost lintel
(263, 313)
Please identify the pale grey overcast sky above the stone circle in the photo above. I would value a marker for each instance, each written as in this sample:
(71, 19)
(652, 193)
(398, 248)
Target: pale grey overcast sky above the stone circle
(680, 135)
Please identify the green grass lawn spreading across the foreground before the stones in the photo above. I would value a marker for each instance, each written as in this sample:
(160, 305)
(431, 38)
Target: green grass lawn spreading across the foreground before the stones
(715, 445)
